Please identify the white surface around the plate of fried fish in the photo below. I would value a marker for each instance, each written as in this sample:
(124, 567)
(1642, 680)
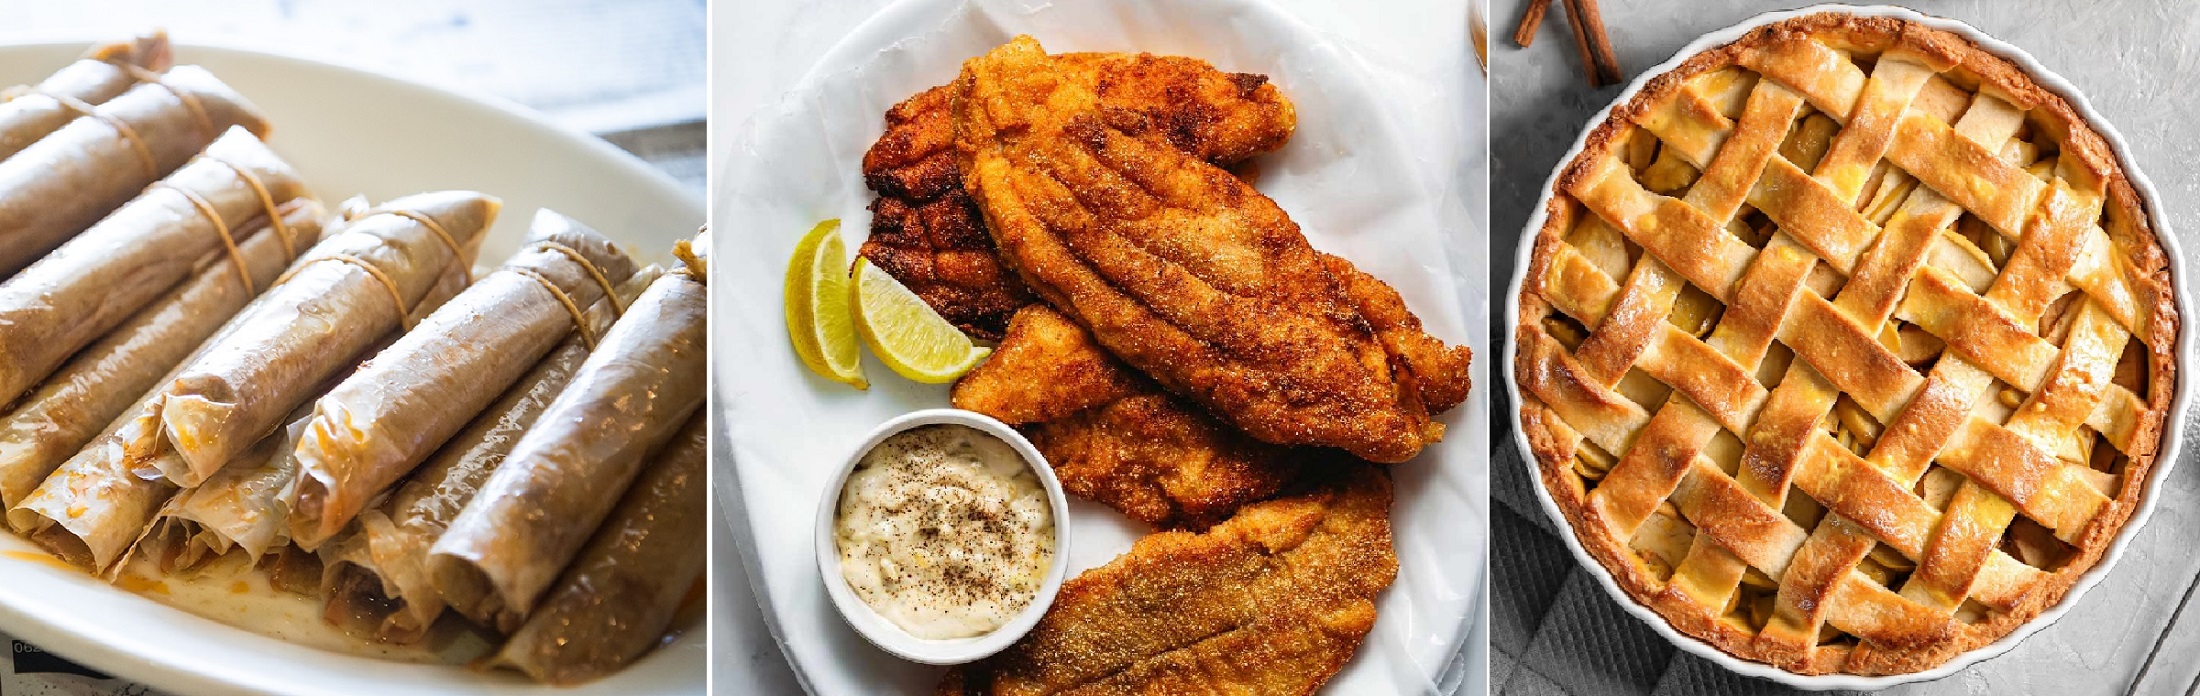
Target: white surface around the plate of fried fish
(764, 47)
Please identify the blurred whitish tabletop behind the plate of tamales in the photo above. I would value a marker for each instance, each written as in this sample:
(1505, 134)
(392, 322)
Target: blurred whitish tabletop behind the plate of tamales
(630, 72)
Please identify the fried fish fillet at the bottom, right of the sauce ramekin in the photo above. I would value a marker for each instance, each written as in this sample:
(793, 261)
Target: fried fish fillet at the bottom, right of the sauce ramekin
(1270, 602)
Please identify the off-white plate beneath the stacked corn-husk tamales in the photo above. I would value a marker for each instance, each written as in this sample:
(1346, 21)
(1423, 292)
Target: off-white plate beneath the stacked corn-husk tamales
(357, 133)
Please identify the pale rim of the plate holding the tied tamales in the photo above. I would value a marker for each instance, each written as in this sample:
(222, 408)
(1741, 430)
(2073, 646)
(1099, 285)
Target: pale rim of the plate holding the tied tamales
(74, 638)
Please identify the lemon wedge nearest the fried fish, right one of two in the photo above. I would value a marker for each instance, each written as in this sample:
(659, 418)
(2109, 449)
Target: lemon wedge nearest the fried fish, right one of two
(910, 336)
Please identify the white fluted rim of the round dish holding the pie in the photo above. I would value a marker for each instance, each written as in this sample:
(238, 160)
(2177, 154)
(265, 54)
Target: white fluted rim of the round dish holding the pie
(2172, 437)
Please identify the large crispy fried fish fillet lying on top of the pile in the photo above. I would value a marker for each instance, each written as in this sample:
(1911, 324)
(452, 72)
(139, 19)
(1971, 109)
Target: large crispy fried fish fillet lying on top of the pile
(1176, 265)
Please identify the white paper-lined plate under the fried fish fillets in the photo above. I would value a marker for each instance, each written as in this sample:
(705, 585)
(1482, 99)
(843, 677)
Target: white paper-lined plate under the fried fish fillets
(1350, 177)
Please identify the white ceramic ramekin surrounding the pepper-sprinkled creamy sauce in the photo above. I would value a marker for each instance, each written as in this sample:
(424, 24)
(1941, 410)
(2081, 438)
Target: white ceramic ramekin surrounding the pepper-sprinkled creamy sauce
(892, 638)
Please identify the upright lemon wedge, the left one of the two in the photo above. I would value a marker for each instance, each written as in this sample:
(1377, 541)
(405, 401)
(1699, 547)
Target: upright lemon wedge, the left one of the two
(819, 312)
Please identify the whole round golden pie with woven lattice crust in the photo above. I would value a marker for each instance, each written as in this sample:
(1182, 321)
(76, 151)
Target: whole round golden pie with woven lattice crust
(1847, 347)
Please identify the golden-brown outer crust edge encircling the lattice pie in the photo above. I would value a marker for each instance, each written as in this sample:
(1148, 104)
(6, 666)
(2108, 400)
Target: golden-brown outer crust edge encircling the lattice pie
(1552, 442)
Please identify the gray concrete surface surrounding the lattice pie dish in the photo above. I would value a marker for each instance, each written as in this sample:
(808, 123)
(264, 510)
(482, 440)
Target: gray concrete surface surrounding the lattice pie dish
(1554, 631)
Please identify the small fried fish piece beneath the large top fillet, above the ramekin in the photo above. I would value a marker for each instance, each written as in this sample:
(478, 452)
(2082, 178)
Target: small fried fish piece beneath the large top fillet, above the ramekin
(1116, 437)
